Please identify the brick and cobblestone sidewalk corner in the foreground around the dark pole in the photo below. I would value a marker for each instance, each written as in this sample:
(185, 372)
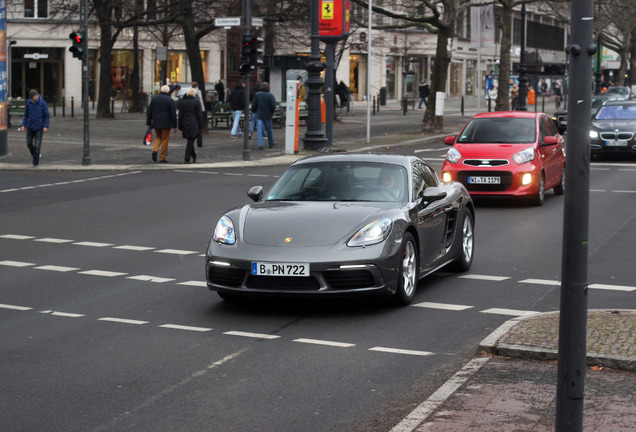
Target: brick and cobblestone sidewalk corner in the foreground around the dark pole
(511, 385)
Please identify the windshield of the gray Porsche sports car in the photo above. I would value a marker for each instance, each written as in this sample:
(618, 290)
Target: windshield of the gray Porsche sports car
(341, 181)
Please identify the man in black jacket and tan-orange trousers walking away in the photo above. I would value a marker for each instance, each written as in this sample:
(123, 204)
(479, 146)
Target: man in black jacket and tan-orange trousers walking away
(162, 116)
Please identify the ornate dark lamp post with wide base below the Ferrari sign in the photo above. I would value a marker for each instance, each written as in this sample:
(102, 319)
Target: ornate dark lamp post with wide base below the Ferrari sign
(314, 137)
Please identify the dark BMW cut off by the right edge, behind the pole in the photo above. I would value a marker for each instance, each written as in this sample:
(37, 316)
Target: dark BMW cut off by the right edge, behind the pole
(613, 128)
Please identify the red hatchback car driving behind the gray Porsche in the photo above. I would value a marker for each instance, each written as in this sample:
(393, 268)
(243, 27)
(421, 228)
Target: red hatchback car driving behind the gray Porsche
(507, 153)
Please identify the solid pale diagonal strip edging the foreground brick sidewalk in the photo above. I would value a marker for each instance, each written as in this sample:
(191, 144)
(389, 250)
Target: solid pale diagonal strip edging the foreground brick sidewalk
(426, 408)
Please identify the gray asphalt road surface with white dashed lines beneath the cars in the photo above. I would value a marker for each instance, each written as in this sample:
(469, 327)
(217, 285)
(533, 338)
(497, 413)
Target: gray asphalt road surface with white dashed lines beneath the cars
(106, 324)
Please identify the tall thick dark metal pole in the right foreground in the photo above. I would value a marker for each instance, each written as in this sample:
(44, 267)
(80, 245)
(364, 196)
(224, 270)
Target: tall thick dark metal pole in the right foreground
(573, 318)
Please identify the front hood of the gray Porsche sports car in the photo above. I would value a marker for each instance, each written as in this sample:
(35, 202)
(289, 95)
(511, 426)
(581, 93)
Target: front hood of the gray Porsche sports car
(304, 224)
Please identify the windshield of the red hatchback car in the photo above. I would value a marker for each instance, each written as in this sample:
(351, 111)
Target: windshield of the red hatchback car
(499, 130)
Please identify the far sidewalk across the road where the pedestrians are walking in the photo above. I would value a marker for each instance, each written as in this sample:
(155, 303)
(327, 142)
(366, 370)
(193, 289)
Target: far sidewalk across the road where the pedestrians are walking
(116, 144)
